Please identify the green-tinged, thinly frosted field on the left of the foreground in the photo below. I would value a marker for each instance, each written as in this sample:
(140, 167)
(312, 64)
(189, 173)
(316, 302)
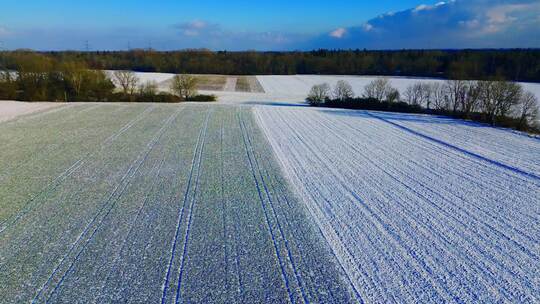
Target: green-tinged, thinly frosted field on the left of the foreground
(114, 203)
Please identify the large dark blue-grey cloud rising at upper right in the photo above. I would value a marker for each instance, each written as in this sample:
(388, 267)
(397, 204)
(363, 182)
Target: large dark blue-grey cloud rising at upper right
(450, 24)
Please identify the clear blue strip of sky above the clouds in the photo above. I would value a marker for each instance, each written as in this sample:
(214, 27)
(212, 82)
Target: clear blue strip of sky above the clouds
(303, 15)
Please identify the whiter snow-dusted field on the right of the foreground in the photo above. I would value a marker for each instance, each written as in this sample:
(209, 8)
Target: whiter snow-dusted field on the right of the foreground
(417, 209)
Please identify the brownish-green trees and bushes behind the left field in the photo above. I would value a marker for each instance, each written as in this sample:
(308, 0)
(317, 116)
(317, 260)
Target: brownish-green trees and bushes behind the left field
(34, 76)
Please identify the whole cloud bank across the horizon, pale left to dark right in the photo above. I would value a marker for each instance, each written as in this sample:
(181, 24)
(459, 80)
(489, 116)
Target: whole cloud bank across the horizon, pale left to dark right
(449, 24)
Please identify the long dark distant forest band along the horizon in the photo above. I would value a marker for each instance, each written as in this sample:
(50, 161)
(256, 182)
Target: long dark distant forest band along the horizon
(514, 65)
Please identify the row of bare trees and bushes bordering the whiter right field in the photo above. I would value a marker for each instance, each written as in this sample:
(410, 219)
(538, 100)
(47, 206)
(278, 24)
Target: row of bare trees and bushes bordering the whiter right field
(494, 101)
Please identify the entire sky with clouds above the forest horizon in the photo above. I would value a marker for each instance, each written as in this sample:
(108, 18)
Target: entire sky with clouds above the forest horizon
(268, 25)
